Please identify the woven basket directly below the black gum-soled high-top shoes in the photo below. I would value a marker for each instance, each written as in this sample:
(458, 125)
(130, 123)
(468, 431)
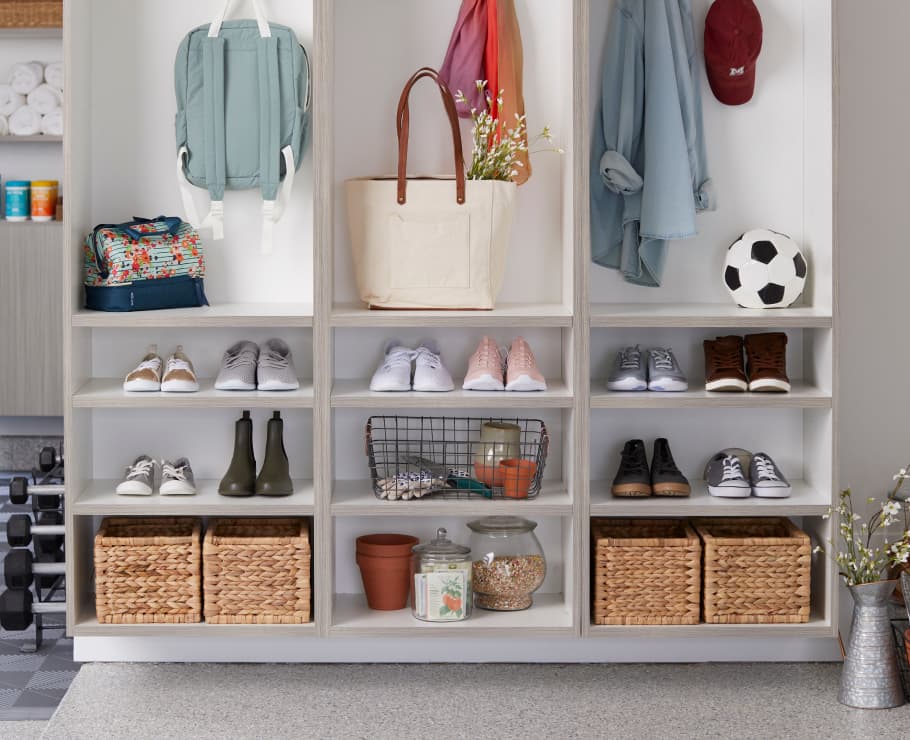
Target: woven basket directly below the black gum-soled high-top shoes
(646, 571)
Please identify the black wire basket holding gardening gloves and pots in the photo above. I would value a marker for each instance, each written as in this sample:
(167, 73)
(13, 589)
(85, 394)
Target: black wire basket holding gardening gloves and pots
(411, 457)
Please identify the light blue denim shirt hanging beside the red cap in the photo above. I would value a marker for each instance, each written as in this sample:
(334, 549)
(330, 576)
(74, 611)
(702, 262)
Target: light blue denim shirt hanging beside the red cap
(649, 170)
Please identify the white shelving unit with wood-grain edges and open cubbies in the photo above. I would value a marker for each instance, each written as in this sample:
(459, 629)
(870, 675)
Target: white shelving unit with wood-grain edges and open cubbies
(574, 314)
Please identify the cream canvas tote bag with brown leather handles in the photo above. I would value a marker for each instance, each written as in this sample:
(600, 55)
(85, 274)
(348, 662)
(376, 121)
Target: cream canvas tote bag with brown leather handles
(429, 242)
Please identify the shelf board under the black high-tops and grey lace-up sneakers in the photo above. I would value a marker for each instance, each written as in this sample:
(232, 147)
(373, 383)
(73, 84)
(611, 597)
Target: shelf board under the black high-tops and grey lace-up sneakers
(803, 501)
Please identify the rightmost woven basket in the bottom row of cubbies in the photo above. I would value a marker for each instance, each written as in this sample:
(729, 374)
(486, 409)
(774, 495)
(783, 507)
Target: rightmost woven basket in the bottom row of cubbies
(757, 571)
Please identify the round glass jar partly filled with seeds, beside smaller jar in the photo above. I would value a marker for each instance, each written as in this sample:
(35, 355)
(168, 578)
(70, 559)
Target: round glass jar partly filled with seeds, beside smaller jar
(509, 563)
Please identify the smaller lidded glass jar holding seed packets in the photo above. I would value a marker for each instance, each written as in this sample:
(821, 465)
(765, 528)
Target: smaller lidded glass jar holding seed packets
(441, 580)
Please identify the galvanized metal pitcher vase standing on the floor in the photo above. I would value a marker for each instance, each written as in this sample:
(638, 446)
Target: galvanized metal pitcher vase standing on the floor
(870, 678)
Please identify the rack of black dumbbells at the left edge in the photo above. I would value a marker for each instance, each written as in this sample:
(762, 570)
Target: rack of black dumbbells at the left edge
(44, 570)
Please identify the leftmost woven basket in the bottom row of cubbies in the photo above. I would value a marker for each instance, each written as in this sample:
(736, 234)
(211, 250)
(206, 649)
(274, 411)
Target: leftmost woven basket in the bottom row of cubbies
(148, 571)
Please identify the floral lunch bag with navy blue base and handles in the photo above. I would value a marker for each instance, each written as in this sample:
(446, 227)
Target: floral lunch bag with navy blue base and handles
(144, 264)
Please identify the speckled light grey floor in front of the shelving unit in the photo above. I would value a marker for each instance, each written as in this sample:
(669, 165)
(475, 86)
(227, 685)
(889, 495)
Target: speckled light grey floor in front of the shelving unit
(465, 701)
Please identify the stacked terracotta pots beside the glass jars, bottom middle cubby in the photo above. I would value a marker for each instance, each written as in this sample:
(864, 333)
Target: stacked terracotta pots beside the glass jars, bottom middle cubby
(385, 566)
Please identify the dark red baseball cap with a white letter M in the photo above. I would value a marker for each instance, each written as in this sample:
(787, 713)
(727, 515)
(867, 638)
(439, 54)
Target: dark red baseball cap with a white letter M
(733, 34)
